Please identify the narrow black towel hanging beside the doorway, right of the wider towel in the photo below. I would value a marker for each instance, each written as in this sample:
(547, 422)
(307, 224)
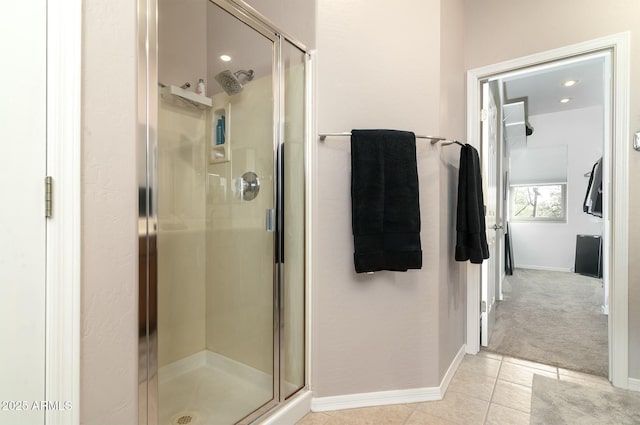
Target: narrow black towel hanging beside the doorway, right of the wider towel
(471, 241)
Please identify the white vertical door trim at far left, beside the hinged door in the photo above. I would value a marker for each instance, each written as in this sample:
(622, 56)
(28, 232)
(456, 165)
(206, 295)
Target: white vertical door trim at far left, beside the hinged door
(63, 229)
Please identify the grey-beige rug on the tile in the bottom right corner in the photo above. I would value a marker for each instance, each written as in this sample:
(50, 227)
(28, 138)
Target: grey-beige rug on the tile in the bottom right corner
(555, 402)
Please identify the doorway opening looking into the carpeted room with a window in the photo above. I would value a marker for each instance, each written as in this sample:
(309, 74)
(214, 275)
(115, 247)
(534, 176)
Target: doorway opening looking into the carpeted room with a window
(552, 302)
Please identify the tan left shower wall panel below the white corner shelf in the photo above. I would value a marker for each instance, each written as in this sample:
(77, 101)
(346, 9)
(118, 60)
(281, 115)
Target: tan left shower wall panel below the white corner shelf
(181, 236)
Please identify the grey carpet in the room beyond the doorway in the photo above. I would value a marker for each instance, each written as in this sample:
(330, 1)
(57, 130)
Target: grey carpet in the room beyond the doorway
(553, 318)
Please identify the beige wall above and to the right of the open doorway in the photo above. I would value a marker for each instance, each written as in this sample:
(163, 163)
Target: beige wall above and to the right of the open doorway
(500, 30)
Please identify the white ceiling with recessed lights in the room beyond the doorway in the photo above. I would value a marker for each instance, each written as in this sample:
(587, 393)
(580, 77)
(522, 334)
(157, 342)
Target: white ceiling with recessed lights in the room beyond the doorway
(543, 86)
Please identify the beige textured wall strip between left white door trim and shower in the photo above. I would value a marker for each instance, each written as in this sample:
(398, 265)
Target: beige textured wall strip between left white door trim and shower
(109, 309)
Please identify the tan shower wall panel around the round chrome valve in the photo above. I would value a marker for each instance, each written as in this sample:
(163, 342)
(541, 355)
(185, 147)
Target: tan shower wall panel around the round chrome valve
(239, 305)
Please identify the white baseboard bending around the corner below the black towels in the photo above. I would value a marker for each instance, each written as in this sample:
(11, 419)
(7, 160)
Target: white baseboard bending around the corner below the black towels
(383, 398)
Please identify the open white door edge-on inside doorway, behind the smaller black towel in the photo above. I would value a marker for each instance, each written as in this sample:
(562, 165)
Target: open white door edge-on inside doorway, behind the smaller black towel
(490, 178)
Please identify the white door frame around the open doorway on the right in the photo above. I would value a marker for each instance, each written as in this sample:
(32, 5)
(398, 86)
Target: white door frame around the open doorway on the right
(618, 203)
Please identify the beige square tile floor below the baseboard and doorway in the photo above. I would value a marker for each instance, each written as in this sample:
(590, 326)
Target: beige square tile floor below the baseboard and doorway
(487, 389)
